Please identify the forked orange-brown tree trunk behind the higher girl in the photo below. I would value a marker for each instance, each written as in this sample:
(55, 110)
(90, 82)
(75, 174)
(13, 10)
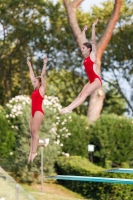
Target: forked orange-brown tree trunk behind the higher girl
(97, 98)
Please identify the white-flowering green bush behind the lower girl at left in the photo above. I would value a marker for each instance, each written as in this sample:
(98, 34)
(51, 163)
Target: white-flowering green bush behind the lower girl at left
(18, 114)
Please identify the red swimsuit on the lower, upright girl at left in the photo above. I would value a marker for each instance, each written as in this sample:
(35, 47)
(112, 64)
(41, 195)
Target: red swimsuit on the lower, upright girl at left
(36, 104)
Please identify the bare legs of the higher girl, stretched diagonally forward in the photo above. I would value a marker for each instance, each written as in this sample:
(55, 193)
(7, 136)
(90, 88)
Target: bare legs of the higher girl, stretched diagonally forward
(87, 90)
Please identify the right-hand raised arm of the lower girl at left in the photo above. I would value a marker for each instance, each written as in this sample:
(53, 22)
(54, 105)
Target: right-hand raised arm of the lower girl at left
(43, 85)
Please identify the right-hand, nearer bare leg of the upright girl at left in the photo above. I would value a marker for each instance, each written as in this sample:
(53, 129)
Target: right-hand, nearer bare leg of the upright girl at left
(36, 123)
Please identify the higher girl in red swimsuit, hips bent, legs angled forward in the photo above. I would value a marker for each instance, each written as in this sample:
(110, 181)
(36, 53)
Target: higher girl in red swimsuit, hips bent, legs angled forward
(89, 53)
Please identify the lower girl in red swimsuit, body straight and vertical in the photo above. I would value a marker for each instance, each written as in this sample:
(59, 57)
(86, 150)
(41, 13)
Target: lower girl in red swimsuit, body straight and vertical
(37, 113)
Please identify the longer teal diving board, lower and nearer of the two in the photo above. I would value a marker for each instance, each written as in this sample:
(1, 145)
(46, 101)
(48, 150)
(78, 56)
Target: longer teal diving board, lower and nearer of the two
(92, 179)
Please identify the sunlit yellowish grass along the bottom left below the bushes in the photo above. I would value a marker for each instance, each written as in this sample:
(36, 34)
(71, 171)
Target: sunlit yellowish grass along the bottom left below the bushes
(52, 191)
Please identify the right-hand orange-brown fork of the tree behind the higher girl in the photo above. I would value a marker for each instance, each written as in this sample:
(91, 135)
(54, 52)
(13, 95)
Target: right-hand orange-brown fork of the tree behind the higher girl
(101, 46)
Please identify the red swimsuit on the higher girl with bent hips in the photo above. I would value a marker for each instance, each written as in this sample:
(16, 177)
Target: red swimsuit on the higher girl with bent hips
(89, 68)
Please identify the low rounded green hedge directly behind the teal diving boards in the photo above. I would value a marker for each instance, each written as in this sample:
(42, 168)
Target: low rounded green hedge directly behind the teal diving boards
(79, 166)
